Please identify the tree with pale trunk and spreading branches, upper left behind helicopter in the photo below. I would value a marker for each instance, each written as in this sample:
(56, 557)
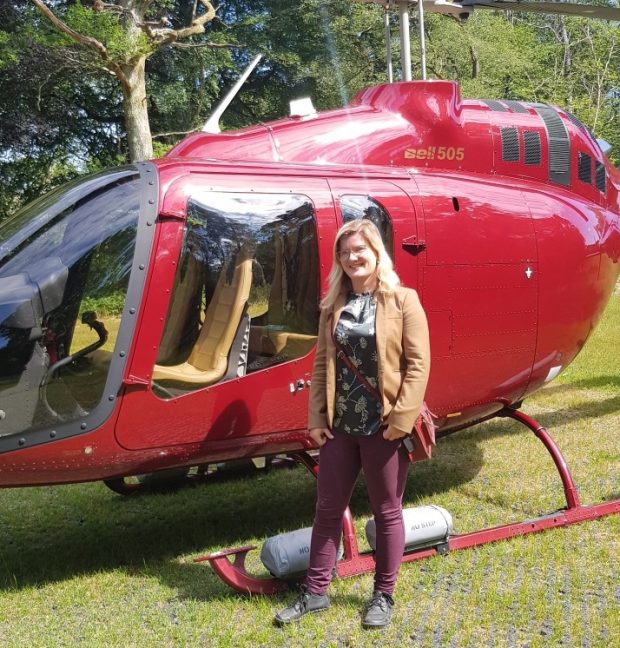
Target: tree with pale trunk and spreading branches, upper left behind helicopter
(120, 37)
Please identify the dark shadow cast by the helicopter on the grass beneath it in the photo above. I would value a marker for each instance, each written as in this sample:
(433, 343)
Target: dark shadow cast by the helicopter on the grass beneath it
(54, 534)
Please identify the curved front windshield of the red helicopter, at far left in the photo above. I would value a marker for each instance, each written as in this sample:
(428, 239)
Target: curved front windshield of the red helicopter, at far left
(65, 262)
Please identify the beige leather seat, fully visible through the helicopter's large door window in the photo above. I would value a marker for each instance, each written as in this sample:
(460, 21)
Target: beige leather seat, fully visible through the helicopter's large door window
(208, 361)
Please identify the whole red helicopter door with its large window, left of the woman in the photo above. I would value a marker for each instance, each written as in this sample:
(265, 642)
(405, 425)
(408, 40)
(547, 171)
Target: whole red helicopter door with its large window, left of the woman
(231, 315)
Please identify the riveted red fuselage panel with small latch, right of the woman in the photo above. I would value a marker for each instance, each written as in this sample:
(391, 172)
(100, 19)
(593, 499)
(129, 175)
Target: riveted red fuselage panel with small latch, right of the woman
(481, 291)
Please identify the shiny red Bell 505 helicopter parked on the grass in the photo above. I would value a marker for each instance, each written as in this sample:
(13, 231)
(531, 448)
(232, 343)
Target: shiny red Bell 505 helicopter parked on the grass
(503, 215)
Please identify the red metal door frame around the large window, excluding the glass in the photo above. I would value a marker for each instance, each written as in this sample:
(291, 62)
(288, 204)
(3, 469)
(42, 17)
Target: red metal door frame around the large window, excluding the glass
(258, 404)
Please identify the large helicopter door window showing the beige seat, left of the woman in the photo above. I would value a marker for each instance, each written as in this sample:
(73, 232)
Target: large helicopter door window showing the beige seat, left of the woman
(246, 293)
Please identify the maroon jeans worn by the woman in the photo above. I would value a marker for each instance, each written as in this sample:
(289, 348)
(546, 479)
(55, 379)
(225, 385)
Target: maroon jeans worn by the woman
(385, 465)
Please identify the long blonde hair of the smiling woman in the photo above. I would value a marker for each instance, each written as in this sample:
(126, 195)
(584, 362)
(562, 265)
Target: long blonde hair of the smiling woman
(387, 279)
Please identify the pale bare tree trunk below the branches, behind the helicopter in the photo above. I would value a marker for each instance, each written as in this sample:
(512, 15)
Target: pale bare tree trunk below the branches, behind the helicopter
(136, 111)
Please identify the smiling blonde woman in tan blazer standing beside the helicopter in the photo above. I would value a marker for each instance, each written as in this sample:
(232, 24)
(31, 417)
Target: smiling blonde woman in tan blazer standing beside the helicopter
(362, 403)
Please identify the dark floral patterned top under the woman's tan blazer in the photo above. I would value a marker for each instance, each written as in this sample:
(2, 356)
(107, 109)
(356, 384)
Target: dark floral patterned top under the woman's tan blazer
(357, 411)
